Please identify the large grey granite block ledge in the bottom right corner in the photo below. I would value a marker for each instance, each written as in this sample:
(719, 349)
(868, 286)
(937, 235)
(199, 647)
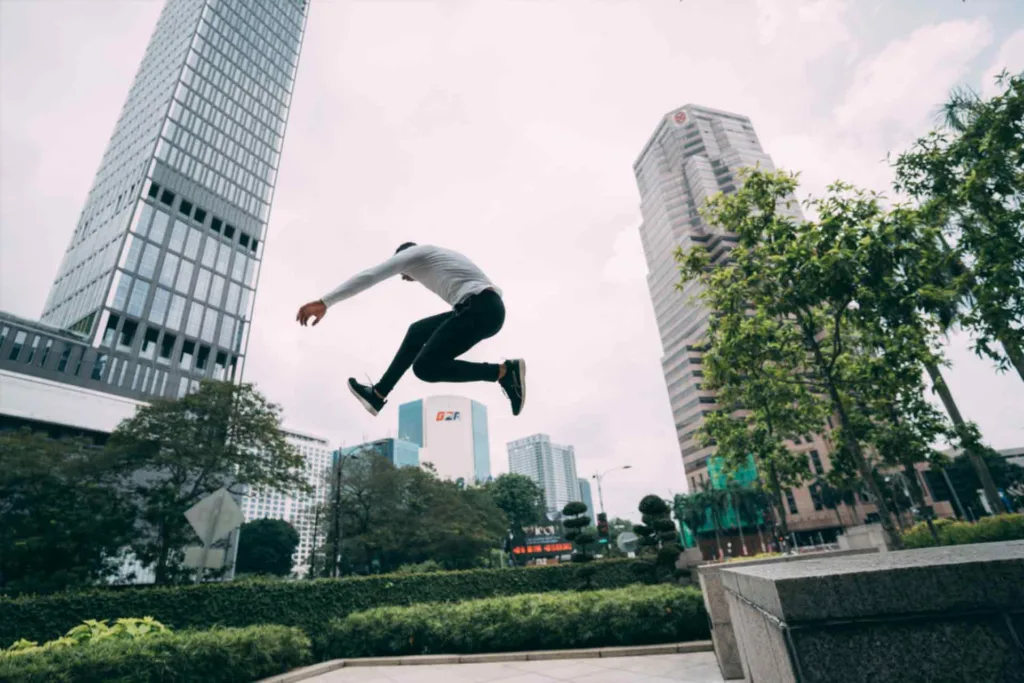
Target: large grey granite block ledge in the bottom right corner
(951, 614)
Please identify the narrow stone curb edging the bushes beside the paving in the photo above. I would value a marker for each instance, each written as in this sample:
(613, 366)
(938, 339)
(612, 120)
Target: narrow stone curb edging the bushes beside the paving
(426, 660)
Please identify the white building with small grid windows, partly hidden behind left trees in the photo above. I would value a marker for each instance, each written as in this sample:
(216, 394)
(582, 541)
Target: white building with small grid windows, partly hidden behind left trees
(298, 509)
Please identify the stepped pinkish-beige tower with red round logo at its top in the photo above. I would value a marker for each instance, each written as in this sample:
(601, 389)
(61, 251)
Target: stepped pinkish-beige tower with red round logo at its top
(695, 154)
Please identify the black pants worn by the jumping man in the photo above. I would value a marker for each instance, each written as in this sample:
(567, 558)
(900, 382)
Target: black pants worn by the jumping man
(432, 346)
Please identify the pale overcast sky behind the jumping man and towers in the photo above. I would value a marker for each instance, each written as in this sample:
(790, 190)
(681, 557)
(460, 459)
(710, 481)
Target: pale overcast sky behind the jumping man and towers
(506, 131)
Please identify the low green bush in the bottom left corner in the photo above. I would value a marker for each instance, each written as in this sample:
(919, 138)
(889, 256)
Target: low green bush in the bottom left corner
(219, 656)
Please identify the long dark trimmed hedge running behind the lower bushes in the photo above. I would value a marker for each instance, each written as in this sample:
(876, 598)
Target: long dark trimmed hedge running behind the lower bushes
(307, 605)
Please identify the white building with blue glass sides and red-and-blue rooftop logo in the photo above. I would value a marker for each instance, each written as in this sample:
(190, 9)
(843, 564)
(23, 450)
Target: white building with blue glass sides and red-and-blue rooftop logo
(452, 435)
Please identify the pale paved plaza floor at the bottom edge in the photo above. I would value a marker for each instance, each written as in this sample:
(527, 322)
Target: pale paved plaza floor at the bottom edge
(692, 668)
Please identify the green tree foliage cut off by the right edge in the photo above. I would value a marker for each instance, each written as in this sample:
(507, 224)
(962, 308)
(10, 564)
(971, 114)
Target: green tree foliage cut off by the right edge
(967, 179)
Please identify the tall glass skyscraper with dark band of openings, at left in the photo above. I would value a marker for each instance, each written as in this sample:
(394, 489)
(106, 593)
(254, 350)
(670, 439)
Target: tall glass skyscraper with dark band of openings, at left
(161, 273)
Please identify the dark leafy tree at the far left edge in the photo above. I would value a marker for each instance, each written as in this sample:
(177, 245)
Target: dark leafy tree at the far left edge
(63, 521)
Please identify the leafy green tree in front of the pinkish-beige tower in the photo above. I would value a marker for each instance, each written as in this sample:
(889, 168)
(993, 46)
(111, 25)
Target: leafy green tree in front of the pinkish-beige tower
(819, 300)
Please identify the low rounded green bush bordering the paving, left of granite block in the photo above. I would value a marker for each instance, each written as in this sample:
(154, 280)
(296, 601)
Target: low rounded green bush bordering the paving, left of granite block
(636, 616)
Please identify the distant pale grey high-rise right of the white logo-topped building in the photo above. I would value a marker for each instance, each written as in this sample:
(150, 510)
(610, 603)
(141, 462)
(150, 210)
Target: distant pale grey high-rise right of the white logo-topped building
(550, 465)
